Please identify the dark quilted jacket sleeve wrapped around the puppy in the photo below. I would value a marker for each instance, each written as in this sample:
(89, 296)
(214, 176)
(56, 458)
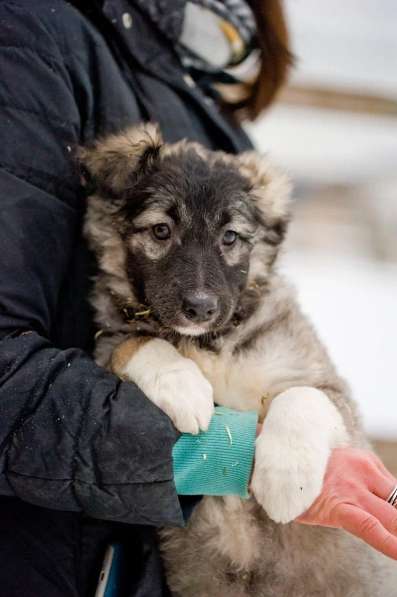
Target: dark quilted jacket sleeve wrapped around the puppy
(72, 436)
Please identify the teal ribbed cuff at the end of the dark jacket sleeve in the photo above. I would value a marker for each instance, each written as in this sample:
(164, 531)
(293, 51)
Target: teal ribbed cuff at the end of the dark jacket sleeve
(218, 461)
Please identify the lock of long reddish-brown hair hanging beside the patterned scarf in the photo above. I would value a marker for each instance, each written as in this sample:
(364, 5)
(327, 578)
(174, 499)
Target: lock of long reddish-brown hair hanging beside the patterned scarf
(276, 58)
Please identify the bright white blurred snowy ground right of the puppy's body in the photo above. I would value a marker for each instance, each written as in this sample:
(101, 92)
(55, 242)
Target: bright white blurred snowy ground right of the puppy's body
(354, 307)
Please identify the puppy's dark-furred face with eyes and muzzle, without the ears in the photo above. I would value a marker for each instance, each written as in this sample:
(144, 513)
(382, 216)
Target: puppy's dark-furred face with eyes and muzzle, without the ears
(189, 228)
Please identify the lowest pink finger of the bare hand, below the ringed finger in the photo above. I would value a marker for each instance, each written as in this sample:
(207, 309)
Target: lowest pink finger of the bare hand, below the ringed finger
(368, 528)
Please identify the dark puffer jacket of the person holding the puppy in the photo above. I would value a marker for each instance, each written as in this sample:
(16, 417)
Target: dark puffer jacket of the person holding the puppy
(72, 436)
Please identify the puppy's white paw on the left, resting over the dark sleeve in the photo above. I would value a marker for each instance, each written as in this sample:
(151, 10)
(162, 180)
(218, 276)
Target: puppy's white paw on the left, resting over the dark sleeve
(175, 384)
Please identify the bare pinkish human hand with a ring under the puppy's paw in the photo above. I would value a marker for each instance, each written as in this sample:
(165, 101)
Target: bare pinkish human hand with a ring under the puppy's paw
(356, 487)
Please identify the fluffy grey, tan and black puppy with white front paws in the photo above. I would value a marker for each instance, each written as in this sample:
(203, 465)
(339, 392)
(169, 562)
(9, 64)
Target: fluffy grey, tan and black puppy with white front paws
(192, 309)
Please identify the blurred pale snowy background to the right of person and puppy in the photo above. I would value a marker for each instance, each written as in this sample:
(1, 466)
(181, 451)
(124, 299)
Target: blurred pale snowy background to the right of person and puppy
(334, 129)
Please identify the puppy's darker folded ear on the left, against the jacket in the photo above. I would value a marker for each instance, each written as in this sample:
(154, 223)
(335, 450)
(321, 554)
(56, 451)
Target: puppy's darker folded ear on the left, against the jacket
(113, 164)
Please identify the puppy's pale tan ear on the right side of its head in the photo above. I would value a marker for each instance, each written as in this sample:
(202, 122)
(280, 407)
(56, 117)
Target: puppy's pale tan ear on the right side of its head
(270, 193)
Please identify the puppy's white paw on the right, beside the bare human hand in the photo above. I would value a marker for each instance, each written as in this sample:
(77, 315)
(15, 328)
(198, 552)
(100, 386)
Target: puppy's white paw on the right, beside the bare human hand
(299, 432)
